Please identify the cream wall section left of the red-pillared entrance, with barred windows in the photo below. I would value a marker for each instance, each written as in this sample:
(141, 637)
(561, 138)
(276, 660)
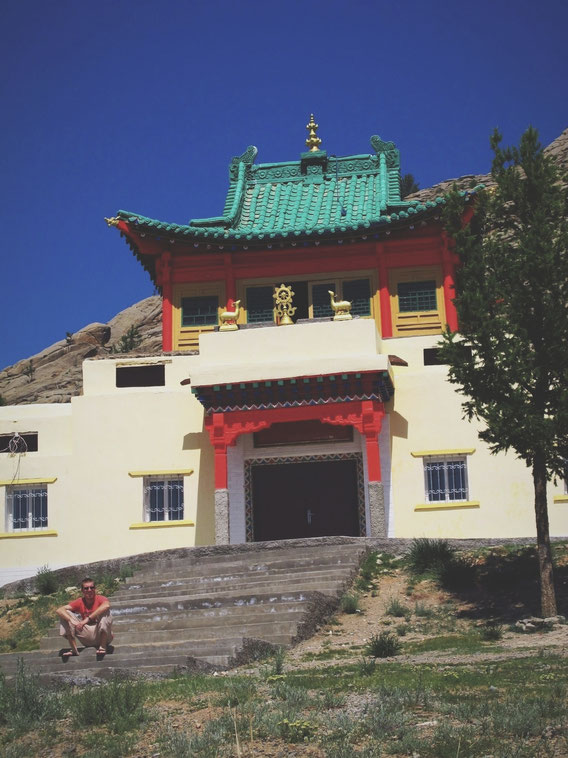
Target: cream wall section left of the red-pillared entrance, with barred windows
(90, 445)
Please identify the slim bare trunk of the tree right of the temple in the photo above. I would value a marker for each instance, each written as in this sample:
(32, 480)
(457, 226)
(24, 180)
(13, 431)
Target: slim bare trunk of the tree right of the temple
(547, 592)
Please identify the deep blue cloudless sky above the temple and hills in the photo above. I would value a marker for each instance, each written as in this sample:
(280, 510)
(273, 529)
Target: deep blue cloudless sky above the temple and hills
(140, 105)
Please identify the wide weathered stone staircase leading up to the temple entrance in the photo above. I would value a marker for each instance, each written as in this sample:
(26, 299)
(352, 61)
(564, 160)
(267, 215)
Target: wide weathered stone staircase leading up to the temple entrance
(212, 609)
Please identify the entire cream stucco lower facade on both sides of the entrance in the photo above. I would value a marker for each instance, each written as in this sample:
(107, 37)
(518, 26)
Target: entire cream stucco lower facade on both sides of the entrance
(89, 448)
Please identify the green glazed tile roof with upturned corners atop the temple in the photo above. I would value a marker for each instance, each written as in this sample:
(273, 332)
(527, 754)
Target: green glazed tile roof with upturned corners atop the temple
(318, 195)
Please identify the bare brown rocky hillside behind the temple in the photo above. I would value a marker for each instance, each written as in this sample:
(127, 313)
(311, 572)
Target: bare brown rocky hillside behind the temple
(54, 375)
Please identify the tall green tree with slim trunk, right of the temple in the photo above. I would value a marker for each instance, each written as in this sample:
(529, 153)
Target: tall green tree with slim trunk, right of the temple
(510, 358)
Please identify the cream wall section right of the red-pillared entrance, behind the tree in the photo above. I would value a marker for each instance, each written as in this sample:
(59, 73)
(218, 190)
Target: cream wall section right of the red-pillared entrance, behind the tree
(426, 416)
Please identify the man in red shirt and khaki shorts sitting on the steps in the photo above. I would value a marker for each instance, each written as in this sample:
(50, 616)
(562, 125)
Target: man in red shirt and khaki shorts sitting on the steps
(86, 619)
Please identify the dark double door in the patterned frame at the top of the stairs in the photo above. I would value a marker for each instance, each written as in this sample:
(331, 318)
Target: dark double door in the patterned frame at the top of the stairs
(311, 499)
